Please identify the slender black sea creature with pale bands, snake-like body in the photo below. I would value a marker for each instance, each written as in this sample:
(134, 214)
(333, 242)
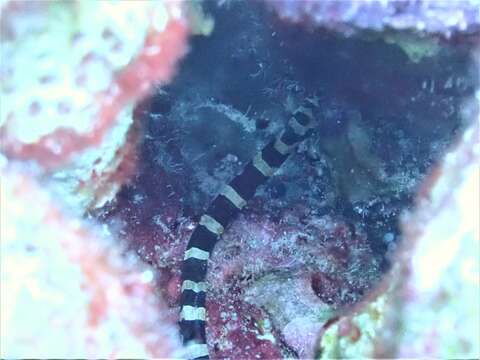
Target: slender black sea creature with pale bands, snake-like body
(224, 208)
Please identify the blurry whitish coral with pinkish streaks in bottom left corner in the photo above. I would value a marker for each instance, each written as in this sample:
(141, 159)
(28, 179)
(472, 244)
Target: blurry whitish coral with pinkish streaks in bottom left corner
(66, 288)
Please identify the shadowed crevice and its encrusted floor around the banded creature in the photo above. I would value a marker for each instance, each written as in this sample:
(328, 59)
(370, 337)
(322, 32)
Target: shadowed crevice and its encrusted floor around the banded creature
(316, 238)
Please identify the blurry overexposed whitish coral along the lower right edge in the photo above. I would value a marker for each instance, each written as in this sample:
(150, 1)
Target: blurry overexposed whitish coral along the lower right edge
(437, 292)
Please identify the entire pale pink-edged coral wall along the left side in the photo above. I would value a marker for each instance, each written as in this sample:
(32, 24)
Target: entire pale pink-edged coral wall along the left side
(71, 75)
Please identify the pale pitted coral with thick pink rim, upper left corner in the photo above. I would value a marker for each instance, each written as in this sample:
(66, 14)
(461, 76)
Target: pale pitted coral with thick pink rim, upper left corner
(77, 91)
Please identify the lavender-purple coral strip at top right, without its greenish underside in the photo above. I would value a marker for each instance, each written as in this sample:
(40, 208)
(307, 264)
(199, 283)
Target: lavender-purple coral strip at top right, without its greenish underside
(429, 16)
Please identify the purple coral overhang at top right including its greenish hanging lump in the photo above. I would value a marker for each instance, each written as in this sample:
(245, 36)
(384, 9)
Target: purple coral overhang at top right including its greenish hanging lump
(418, 27)
